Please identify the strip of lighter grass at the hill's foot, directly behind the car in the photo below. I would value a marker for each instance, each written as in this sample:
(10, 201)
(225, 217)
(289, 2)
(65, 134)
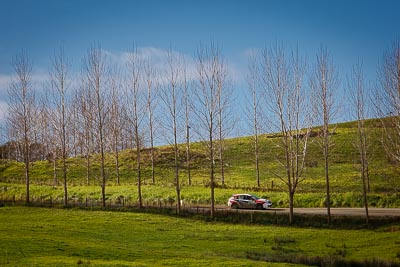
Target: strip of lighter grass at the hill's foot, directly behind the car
(191, 195)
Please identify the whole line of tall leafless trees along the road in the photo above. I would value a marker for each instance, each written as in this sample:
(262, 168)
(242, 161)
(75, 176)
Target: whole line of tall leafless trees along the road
(108, 108)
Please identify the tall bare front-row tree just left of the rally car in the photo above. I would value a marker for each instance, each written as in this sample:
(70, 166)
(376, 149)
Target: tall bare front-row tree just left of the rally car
(205, 104)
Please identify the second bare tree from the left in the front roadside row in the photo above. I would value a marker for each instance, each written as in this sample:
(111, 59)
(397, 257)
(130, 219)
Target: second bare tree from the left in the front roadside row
(59, 111)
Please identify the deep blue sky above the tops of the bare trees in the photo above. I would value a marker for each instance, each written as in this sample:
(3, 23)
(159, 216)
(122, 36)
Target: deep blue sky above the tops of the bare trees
(352, 30)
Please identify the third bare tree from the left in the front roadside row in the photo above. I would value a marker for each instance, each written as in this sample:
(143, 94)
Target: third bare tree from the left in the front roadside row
(96, 70)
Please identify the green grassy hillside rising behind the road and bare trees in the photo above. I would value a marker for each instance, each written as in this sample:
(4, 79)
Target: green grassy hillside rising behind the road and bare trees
(240, 174)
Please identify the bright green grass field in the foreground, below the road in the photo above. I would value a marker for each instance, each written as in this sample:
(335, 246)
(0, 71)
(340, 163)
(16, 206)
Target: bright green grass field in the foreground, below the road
(69, 237)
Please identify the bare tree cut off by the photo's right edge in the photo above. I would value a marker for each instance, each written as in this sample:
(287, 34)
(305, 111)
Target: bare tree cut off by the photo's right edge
(387, 105)
